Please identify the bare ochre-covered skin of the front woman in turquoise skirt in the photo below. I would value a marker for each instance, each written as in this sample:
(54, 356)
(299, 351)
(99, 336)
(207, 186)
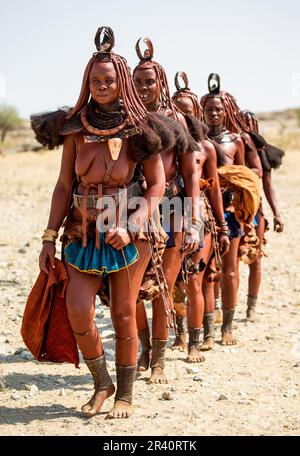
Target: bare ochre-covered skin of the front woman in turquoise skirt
(88, 162)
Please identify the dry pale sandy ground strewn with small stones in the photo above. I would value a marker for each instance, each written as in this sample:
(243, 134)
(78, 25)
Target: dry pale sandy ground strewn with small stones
(258, 379)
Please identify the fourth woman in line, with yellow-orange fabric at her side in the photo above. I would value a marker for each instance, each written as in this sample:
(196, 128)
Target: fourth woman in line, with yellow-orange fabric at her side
(219, 117)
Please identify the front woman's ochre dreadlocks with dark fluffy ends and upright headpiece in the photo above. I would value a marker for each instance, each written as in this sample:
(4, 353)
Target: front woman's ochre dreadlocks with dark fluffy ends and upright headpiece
(151, 133)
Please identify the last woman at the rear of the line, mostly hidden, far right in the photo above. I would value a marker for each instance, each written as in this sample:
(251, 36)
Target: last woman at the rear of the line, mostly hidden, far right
(271, 158)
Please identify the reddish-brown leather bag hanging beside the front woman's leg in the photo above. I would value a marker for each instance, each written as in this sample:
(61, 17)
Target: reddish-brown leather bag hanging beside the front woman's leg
(46, 329)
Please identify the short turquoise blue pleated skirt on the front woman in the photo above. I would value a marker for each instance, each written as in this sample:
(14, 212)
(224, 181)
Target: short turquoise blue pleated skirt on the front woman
(101, 261)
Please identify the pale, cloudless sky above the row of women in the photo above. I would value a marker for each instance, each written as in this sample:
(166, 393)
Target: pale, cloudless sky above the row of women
(254, 45)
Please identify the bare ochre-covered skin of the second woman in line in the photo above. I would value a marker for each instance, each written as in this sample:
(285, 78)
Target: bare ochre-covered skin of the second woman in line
(150, 88)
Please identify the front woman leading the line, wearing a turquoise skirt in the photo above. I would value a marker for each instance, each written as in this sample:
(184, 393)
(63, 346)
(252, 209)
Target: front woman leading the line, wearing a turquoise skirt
(104, 137)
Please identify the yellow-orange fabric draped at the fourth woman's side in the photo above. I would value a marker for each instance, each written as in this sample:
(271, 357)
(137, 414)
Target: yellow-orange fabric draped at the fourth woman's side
(245, 184)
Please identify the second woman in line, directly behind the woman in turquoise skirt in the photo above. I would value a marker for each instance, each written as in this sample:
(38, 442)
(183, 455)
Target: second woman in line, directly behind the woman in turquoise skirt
(180, 170)
